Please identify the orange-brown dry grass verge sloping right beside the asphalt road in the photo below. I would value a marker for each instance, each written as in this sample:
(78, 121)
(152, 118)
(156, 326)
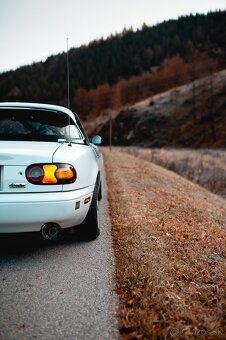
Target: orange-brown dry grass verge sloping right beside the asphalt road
(169, 240)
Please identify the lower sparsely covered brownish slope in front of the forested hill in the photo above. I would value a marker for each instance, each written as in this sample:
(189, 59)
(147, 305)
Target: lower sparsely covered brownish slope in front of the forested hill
(192, 115)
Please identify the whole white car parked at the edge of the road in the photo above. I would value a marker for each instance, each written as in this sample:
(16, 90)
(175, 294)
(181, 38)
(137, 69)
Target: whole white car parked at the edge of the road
(50, 174)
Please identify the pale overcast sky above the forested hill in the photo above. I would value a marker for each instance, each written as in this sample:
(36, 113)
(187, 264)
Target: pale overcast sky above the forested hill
(32, 30)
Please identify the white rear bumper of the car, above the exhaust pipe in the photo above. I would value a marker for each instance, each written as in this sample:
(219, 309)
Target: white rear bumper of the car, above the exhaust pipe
(28, 212)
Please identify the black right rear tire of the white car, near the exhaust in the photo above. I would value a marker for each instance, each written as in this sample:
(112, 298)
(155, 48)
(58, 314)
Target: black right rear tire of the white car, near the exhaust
(90, 228)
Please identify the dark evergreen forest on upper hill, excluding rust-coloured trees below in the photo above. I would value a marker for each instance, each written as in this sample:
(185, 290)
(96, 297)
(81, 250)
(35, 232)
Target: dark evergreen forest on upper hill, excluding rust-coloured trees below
(117, 58)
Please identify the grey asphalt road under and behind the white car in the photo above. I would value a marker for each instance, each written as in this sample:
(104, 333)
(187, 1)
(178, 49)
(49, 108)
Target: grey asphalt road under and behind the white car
(58, 291)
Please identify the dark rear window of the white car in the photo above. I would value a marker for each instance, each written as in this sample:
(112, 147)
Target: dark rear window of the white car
(36, 124)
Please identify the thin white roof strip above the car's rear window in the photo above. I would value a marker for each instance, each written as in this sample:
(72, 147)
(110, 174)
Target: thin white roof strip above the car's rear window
(36, 106)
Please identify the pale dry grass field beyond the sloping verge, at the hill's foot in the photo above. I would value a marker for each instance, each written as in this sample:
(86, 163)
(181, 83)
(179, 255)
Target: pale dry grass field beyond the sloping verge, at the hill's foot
(206, 167)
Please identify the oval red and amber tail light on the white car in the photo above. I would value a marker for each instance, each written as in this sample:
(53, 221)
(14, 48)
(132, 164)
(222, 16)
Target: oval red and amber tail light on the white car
(54, 173)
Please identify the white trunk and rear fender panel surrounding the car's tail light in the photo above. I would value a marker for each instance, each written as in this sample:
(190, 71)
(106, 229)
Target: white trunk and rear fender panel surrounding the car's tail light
(14, 165)
